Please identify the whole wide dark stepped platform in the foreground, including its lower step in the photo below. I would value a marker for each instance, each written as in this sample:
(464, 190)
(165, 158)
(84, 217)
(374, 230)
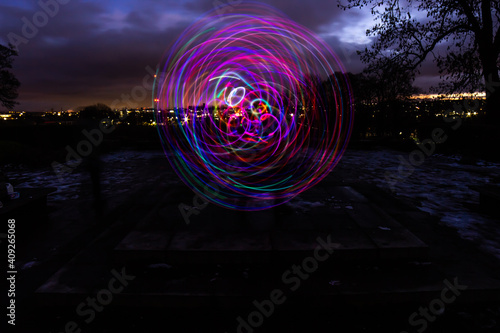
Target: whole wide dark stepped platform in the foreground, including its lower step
(227, 258)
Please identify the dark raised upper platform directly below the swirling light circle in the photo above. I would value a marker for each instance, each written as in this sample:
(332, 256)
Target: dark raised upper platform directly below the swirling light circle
(362, 230)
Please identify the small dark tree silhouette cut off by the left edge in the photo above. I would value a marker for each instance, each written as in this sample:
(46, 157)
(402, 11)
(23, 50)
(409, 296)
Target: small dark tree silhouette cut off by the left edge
(8, 82)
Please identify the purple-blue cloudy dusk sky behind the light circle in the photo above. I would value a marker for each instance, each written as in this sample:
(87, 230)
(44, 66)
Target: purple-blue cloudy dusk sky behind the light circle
(82, 52)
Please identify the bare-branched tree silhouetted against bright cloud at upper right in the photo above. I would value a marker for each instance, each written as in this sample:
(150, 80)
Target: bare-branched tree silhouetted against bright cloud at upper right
(408, 32)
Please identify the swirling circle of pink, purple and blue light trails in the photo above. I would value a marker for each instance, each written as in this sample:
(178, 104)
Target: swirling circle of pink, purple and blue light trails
(262, 108)
